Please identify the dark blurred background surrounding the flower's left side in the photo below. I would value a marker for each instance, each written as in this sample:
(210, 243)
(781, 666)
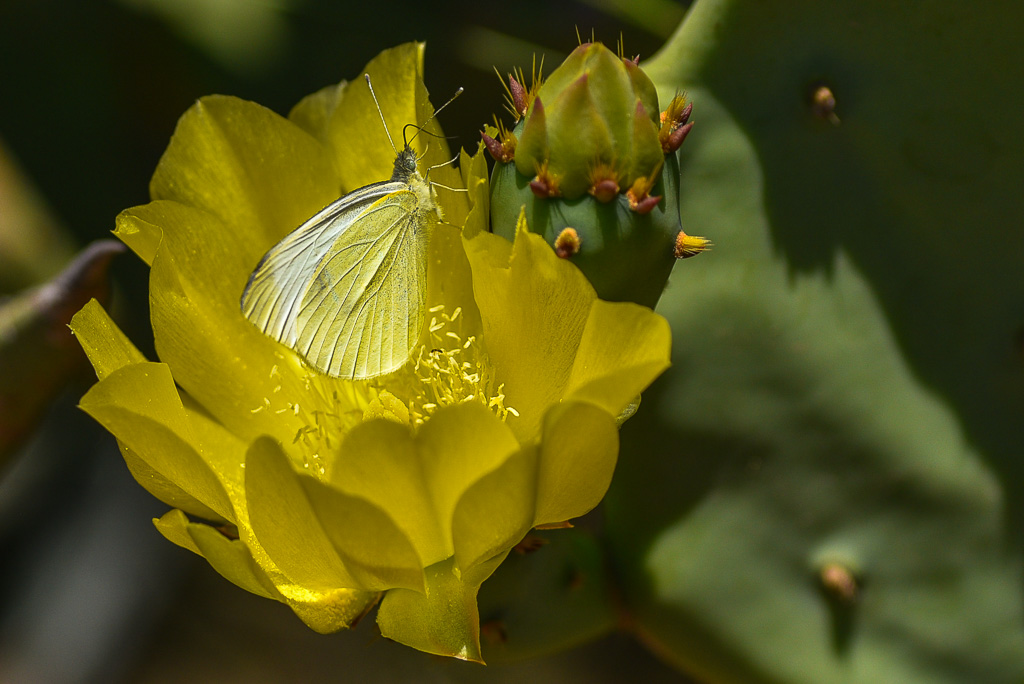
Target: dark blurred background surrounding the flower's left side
(90, 95)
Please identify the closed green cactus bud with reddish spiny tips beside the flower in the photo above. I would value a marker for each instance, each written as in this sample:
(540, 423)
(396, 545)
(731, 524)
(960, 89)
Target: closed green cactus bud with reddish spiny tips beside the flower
(586, 161)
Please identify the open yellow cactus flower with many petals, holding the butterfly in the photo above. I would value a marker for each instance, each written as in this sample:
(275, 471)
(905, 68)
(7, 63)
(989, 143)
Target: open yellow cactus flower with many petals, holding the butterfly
(329, 494)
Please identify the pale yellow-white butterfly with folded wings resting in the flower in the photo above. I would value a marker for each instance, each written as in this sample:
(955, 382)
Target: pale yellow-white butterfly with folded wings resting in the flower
(348, 289)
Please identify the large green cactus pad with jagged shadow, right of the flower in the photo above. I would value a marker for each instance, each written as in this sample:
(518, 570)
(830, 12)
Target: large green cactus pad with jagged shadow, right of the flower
(827, 487)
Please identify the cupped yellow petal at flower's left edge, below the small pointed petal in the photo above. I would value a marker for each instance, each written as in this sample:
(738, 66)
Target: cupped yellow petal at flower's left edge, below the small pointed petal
(140, 405)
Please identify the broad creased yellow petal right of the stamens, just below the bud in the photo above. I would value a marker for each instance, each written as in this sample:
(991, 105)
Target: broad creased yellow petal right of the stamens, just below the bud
(551, 339)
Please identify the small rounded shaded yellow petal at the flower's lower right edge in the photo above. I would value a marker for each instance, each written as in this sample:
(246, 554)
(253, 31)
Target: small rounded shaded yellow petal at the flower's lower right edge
(578, 458)
